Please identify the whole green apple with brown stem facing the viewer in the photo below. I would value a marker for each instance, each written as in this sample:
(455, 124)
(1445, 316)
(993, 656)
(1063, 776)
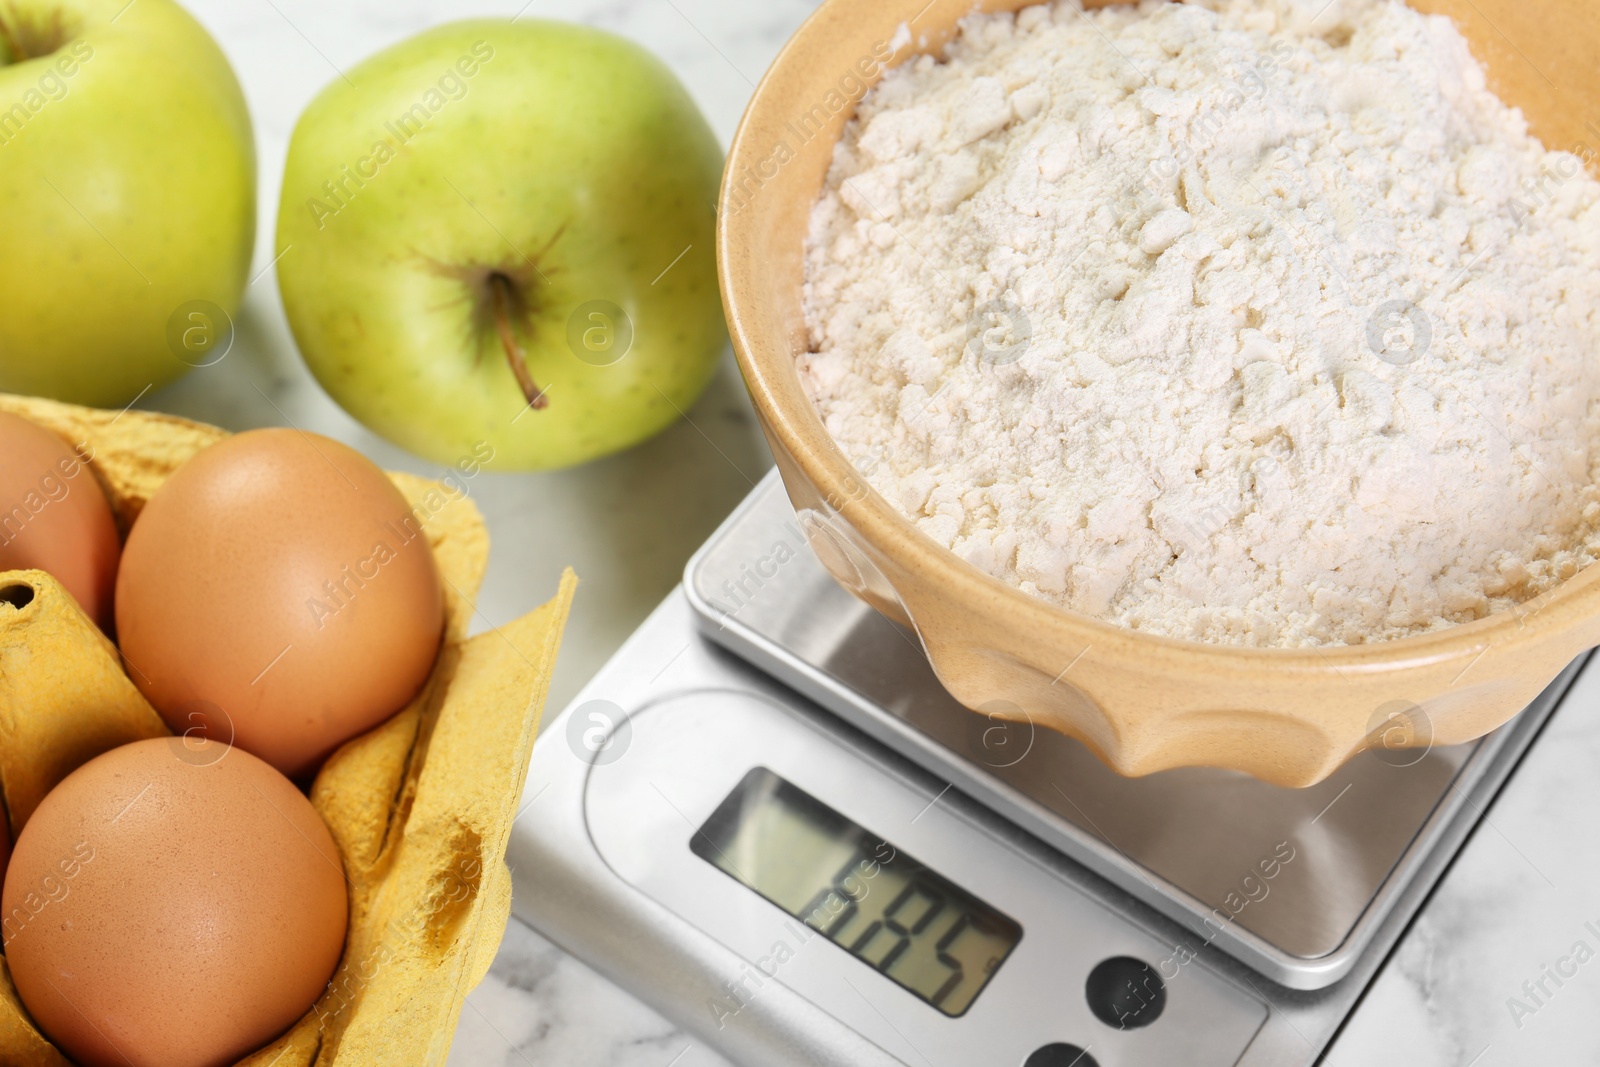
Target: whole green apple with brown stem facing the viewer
(502, 234)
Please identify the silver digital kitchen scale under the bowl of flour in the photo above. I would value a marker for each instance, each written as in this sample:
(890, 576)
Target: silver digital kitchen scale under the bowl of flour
(767, 820)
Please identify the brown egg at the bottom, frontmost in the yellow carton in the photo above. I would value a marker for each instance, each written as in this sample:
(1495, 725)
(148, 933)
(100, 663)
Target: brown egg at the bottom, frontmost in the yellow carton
(174, 903)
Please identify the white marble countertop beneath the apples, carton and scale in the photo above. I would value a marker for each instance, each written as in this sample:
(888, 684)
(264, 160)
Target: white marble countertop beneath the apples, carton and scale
(1519, 906)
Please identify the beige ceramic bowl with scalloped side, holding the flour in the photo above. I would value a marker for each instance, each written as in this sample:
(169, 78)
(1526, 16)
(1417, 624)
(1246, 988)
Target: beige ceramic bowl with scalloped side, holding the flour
(1142, 703)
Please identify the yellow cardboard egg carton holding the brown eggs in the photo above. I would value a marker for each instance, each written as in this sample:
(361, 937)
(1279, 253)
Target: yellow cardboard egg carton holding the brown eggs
(422, 807)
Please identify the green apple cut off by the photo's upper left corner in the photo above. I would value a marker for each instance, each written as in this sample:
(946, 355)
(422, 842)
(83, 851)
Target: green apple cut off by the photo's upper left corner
(129, 194)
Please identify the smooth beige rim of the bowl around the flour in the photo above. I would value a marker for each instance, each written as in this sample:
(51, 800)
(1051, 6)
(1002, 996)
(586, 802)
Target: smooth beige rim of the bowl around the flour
(809, 446)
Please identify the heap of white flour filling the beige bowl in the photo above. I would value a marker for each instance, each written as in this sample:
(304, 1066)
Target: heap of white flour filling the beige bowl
(1217, 321)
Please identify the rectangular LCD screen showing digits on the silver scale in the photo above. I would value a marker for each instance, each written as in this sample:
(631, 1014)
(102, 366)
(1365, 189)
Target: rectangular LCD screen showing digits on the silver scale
(910, 924)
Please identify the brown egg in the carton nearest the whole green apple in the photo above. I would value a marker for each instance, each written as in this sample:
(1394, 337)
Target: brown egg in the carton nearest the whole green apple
(279, 594)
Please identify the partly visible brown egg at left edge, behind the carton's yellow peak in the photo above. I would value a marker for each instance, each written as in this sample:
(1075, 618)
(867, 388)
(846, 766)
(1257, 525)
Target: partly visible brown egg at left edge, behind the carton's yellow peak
(55, 518)
